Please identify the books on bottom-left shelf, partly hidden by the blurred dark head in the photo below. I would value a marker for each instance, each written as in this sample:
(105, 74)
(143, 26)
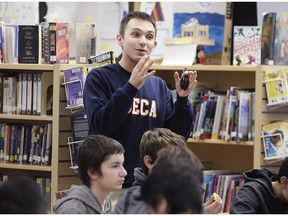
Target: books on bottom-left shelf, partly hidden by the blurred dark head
(44, 187)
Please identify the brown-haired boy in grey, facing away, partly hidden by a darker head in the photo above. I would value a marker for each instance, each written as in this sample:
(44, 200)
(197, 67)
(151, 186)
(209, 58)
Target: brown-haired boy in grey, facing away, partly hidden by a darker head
(151, 143)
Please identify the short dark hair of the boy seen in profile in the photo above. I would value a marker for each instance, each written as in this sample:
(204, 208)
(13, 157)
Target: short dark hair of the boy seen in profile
(93, 151)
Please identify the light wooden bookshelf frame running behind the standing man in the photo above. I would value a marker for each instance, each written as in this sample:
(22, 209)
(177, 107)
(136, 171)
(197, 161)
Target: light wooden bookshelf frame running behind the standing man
(236, 156)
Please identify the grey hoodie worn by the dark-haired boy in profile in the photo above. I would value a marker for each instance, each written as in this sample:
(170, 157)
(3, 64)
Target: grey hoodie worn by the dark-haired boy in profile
(80, 200)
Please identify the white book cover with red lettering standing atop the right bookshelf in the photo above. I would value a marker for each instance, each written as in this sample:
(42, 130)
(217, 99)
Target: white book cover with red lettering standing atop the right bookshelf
(247, 45)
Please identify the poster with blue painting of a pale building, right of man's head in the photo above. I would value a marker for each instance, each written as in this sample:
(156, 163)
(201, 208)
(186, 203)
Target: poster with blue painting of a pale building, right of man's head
(202, 23)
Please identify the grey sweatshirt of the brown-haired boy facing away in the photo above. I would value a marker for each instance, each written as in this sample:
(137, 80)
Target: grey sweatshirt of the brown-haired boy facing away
(128, 202)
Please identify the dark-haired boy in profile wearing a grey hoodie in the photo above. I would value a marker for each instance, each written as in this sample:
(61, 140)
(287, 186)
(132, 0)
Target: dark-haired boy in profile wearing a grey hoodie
(100, 160)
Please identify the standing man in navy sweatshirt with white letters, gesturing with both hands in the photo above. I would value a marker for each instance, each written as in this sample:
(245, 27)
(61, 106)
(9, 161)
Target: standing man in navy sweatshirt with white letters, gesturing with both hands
(124, 100)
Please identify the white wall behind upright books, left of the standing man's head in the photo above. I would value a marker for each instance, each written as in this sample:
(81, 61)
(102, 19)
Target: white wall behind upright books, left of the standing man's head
(73, 12)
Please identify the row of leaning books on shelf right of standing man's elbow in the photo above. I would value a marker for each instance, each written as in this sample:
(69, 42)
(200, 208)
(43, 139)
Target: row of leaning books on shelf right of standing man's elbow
(227, 117)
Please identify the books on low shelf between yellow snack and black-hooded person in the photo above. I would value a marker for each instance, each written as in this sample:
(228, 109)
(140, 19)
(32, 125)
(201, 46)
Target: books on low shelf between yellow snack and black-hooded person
(224, 183)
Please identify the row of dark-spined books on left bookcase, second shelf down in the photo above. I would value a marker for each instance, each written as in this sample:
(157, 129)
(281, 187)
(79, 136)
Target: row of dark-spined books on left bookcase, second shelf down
(26, 144)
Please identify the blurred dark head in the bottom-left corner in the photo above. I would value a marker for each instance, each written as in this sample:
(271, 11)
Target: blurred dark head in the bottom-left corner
(20, 195)
